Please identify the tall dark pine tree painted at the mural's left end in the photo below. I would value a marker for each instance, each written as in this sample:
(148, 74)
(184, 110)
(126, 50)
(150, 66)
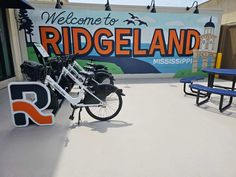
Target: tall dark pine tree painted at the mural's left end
(26, 24)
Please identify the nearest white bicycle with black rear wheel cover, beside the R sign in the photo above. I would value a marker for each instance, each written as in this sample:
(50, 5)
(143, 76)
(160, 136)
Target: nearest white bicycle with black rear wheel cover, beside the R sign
(101, 101)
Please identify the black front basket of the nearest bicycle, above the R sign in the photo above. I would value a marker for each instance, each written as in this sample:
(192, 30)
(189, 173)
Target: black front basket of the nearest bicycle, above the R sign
(33, 71)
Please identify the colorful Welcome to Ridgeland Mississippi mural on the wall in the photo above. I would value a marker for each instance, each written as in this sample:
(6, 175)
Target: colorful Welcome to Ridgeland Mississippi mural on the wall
(127, 42)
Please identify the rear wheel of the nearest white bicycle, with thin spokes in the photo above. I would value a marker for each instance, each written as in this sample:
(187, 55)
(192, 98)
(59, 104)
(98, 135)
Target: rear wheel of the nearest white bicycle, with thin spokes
(112, 107)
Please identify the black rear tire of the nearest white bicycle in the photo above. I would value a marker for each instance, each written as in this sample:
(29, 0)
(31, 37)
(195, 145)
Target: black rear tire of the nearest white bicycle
(99, 117)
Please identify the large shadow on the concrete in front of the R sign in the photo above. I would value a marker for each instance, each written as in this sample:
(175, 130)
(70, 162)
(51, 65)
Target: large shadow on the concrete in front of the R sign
(32, 151)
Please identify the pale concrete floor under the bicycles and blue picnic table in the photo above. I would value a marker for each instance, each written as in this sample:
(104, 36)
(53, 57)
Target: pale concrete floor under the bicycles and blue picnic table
(159, 132)
